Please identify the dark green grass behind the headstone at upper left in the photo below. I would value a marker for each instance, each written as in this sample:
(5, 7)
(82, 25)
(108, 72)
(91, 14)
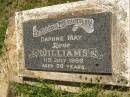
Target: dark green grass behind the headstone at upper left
(8, 7)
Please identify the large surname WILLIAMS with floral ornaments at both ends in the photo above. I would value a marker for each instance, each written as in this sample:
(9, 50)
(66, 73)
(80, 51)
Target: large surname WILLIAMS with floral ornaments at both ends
(88, 53)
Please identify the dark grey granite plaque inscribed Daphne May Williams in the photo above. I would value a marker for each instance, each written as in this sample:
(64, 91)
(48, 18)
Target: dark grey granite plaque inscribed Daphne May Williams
(78, 44)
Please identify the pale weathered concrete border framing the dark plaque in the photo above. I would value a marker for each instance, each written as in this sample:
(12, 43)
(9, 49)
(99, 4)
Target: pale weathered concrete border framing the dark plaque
(120, 39)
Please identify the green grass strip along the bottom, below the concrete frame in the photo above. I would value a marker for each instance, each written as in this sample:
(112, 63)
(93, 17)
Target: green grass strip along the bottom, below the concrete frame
(43, 89)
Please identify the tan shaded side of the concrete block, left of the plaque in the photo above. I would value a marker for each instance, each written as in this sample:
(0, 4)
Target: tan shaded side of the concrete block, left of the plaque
(8, 66)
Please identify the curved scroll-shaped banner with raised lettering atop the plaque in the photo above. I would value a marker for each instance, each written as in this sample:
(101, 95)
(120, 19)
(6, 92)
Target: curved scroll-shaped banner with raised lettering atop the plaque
(86, 24)
